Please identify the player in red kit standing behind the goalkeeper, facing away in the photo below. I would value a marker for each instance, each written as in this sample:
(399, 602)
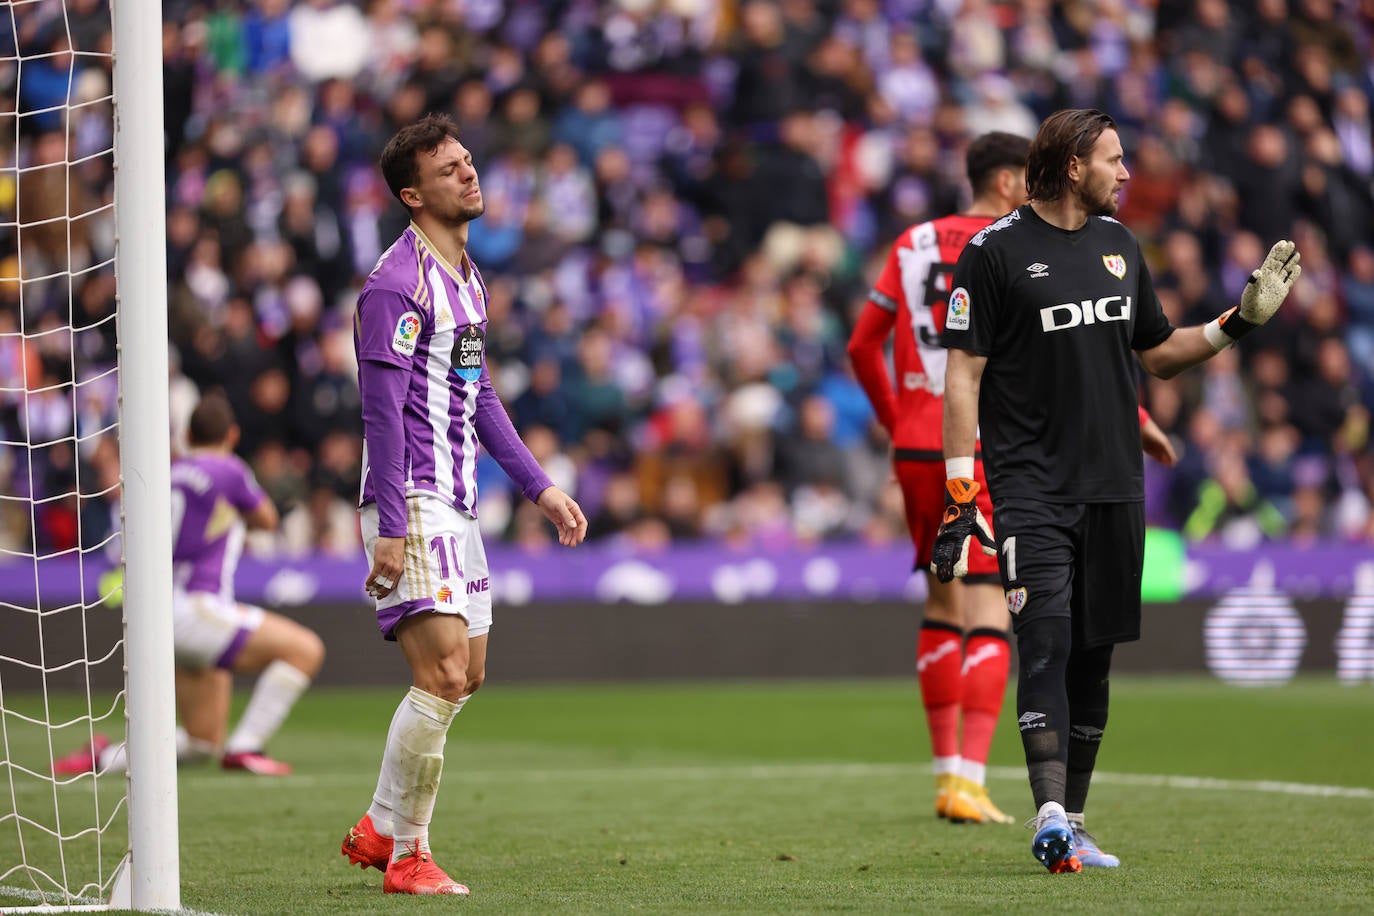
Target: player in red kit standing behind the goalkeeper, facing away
(962, 653)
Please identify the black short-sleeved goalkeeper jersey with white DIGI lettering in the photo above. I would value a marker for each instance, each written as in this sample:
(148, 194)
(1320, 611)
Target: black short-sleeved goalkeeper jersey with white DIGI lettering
(1057, 314)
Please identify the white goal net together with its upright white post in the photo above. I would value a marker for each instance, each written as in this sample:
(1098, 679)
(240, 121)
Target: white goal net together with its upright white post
(83, 461)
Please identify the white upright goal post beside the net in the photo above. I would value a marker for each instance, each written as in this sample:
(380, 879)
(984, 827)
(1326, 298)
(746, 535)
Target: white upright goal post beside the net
(153, 875)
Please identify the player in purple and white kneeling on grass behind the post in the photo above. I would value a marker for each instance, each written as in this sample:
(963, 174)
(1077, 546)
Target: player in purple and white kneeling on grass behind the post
(215, 499)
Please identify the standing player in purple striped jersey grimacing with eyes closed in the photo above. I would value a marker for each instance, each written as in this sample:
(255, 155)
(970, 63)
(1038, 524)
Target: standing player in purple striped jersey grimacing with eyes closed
(428, 404)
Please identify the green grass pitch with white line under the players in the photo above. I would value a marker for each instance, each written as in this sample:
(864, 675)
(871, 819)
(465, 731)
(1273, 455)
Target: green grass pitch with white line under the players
(793, 799)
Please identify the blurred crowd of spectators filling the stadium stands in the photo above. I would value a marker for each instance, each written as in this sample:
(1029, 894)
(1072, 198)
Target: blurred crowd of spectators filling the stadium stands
(688, 201)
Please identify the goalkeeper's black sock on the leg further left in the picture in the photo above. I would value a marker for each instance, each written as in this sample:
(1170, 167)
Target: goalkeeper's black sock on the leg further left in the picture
(1044, 705)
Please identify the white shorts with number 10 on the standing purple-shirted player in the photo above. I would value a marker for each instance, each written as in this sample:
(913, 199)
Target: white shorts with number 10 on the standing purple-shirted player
(446, 566)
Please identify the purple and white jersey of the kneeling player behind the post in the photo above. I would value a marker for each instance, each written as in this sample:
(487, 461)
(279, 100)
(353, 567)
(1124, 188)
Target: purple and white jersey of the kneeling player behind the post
(211, 495)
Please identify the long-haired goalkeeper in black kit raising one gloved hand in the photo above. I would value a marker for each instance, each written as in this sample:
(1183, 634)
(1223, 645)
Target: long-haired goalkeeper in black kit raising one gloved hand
(1049, 304)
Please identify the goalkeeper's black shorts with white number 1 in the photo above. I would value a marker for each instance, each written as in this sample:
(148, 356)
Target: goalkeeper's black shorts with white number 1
(1079, 560)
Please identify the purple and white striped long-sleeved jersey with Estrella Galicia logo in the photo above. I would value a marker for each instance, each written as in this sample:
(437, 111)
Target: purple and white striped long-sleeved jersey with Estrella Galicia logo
(428, 400)
